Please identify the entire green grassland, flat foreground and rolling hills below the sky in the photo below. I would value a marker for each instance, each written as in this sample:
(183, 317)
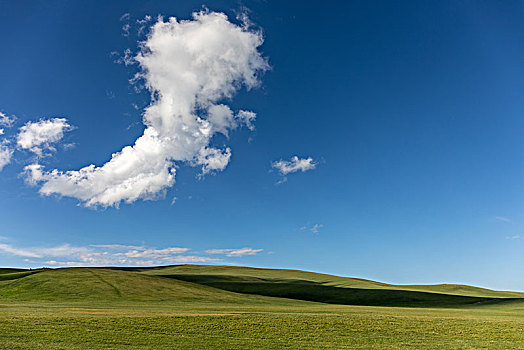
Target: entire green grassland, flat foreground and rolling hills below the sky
(203, 307)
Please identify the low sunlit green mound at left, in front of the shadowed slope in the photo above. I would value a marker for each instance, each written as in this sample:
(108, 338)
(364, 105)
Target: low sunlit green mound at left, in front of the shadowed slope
(86, 284)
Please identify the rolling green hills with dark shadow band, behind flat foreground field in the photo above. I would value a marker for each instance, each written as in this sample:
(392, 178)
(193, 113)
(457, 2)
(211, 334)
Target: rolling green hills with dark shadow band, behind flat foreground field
(233, 284)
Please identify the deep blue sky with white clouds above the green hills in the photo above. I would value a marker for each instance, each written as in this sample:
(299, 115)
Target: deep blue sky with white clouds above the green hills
(405, 120)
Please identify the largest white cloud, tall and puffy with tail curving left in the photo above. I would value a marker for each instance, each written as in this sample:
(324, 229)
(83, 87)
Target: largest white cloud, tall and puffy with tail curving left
(190, 67)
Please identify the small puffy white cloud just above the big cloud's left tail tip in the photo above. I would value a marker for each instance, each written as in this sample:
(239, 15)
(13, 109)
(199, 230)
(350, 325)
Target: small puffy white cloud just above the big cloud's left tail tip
(41, 135)
